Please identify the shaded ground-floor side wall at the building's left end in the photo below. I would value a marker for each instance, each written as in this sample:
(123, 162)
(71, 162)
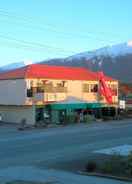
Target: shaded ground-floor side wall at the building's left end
(14, 114)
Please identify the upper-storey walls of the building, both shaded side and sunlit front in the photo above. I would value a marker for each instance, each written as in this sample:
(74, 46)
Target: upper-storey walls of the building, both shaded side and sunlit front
(13, 92)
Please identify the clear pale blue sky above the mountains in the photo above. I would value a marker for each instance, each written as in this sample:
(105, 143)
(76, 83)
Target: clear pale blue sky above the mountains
(36, 30)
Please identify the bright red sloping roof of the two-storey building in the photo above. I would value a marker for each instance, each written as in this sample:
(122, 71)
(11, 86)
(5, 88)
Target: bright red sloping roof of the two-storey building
(51, 72)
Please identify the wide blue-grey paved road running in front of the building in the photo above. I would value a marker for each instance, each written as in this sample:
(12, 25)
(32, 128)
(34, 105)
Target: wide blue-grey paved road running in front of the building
(65, 148)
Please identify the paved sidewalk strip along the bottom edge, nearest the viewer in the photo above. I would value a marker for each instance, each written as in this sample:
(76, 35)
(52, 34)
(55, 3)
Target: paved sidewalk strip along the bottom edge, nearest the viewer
(51, 176)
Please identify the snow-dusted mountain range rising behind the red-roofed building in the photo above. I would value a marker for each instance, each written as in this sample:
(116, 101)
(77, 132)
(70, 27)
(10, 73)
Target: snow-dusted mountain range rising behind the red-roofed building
(115, 61)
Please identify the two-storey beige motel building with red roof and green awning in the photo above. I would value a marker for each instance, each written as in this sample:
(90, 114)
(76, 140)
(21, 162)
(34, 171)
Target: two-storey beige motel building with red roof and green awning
(50, 93)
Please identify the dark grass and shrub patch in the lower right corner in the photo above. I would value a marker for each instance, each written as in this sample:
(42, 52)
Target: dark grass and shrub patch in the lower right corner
(114, 165)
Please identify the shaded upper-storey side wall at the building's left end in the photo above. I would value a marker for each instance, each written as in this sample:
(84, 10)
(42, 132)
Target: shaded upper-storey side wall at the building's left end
(12, 92)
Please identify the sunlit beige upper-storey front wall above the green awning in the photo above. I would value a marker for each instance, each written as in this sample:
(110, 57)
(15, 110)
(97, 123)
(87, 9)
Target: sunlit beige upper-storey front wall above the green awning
(74, 89)
